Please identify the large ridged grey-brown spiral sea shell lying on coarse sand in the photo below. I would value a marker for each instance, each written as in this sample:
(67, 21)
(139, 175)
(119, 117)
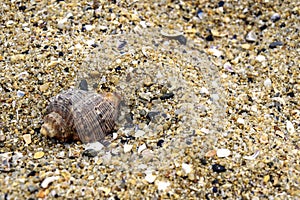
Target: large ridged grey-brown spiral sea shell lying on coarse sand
(80, 115)
